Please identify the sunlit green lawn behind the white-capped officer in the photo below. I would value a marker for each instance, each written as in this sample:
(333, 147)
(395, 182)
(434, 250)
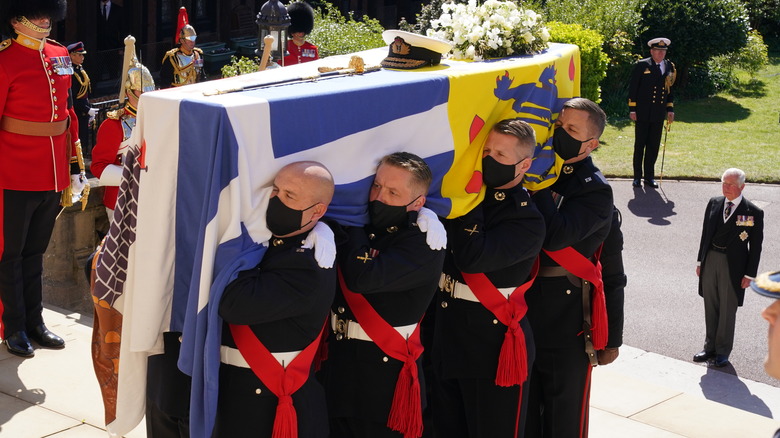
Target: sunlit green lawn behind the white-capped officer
(739, 128)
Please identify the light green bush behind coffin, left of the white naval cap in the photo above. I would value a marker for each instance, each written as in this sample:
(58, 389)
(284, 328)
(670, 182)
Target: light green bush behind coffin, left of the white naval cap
(336, 34)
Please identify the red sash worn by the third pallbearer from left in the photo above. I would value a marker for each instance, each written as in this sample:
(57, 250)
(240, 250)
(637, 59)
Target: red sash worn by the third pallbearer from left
(513, 359)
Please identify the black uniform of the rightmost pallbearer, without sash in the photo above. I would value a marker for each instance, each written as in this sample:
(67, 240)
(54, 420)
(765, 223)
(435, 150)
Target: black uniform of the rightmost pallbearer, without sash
(559, 382)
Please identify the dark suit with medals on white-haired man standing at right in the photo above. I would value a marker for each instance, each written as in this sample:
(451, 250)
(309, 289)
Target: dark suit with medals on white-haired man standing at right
(727, 252)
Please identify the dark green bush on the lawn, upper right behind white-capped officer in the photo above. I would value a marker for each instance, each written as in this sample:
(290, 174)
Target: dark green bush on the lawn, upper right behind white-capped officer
(698, 29)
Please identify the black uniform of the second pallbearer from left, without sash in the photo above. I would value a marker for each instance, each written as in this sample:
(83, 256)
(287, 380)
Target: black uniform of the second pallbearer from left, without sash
(399, 282)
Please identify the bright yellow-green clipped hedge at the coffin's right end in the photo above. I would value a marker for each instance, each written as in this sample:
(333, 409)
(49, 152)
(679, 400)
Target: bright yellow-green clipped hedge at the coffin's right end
(592, 58)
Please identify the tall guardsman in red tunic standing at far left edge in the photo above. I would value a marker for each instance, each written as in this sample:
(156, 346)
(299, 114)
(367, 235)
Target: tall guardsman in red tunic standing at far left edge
(37, 136)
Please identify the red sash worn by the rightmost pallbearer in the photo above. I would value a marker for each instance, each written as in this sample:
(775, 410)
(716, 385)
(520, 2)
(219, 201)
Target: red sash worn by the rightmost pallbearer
(583, 268)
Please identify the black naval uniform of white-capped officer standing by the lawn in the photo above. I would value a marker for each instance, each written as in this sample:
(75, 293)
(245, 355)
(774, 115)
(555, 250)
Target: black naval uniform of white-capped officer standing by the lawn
(649, 98)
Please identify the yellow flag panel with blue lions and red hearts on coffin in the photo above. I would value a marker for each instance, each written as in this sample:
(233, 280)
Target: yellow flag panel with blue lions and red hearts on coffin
(484, 93)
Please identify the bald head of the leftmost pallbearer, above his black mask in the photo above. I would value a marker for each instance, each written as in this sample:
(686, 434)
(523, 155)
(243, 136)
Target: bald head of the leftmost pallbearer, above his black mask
(306, 186)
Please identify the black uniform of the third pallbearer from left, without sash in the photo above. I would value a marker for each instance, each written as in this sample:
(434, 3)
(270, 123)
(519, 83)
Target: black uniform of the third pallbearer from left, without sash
(501, 237)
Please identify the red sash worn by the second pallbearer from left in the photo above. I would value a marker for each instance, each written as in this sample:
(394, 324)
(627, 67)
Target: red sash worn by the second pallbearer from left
(406, 411)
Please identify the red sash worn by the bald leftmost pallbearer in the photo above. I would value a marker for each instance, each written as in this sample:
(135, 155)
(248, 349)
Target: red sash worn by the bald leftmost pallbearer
(282, 381)
